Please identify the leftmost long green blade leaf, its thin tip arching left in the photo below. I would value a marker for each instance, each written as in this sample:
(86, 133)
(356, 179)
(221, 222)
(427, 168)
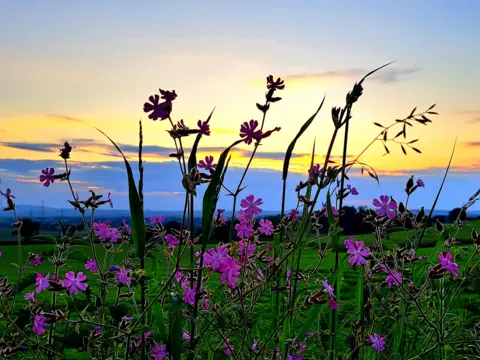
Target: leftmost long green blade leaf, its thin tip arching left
(136, 209)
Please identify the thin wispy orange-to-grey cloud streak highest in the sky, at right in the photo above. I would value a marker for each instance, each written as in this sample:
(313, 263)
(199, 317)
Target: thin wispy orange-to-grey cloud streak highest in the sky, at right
(384, 76)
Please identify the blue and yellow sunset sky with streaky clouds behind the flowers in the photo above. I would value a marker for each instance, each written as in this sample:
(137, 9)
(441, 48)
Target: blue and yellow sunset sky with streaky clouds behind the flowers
(68, 67)
